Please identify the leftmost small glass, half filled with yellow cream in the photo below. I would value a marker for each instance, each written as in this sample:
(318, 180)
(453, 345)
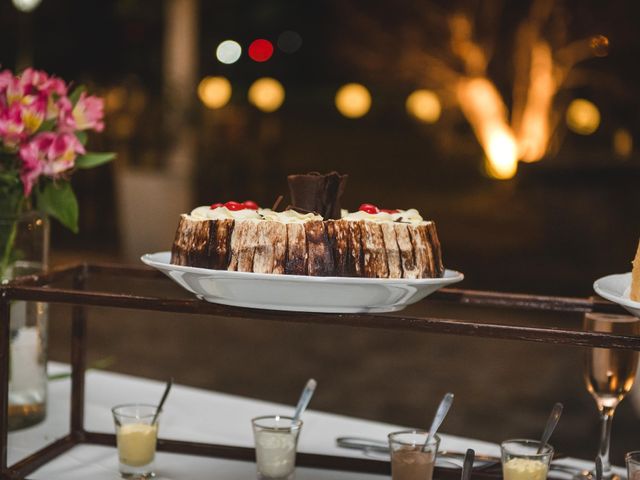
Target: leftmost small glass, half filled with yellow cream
(136, 438)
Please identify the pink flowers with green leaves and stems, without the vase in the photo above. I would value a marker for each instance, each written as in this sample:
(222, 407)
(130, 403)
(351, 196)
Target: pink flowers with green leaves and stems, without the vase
(43, 133)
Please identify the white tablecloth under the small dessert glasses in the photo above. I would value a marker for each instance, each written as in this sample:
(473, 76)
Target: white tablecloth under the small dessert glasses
(195, 415)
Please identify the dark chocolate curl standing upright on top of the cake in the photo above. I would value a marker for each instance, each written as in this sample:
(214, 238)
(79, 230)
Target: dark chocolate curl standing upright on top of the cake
(315, 192)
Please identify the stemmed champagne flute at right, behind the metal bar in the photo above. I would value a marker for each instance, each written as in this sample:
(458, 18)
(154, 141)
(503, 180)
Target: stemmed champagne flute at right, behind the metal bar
(609, 374)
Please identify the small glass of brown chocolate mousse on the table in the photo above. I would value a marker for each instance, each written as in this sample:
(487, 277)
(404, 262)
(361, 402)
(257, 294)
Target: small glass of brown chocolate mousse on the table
(408, 459)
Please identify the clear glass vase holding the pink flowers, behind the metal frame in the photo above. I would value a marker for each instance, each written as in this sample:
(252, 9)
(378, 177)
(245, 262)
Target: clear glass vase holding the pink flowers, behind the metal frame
(24, 250)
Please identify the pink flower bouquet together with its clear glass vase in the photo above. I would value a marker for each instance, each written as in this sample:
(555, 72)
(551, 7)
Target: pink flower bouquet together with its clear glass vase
(43, 133)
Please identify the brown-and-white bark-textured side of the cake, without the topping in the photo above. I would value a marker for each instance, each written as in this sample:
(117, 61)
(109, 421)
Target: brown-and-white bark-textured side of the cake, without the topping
(346, 248)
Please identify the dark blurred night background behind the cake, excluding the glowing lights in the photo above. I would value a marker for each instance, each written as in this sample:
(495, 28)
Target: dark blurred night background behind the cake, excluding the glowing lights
(554, 228)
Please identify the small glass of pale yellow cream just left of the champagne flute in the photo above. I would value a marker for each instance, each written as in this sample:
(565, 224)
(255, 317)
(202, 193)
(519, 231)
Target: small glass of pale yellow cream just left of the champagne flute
(521, 460)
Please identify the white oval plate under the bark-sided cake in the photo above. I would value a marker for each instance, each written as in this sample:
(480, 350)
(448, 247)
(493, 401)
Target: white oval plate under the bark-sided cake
(298, 292)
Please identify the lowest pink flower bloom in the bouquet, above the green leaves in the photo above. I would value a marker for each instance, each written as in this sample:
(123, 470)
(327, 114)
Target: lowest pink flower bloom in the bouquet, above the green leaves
(49, 154)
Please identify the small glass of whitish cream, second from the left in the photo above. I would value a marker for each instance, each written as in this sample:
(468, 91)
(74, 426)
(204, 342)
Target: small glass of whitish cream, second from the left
(276, 439)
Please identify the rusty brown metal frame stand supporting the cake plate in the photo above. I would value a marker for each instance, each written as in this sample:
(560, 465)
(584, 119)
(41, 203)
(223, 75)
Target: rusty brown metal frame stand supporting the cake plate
(39, 288)
